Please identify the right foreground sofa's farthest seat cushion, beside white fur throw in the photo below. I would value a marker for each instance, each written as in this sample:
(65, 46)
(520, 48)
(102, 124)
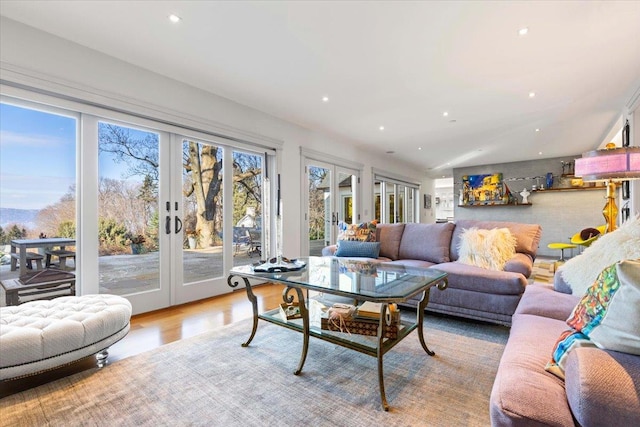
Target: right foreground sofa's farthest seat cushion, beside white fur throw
(541, 300)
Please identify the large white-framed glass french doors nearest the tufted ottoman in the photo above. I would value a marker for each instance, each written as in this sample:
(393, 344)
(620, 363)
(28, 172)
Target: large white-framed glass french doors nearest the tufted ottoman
(167, 206)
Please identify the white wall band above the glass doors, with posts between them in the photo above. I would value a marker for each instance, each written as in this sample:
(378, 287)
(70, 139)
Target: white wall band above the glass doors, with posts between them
(45, 62)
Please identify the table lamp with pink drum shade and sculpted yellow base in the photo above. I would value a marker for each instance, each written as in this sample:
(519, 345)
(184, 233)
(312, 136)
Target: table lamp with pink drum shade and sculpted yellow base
(611, 164)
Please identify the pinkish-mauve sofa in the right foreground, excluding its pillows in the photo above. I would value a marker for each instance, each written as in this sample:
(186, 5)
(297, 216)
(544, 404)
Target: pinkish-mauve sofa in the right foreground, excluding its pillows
(601, 387)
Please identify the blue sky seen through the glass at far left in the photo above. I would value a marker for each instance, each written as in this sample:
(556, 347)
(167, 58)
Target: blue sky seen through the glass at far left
(38, 157)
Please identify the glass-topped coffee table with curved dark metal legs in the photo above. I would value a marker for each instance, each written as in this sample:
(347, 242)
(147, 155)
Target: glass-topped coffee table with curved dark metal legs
(329, 277)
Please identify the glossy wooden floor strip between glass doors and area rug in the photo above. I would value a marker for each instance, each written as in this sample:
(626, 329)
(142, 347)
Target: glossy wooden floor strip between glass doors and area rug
(151, 330)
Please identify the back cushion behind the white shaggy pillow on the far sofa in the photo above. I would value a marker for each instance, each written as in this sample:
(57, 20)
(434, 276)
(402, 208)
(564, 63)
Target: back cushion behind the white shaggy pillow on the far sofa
(527, 235)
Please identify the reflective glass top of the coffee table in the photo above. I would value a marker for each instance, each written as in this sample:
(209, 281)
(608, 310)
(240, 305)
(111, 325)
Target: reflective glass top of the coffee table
(353, 278)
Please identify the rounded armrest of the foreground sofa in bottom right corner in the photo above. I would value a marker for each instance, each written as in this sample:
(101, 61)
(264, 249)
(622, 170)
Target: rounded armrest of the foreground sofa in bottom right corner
(603, 387)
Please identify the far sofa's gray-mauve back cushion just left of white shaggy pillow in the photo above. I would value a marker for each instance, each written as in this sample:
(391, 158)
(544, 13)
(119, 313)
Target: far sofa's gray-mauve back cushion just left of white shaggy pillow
(427, 242)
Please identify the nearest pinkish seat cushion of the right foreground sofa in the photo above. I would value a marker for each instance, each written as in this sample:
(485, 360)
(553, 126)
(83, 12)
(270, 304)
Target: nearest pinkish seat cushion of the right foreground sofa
(523, 392)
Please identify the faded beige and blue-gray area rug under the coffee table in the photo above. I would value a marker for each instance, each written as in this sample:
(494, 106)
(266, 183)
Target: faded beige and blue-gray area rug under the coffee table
(210, 380)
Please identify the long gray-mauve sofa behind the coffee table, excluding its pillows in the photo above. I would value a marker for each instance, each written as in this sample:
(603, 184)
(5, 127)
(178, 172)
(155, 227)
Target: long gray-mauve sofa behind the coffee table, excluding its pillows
(473, 292)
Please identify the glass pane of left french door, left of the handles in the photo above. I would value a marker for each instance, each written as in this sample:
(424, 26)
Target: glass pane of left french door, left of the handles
(128, 215)
